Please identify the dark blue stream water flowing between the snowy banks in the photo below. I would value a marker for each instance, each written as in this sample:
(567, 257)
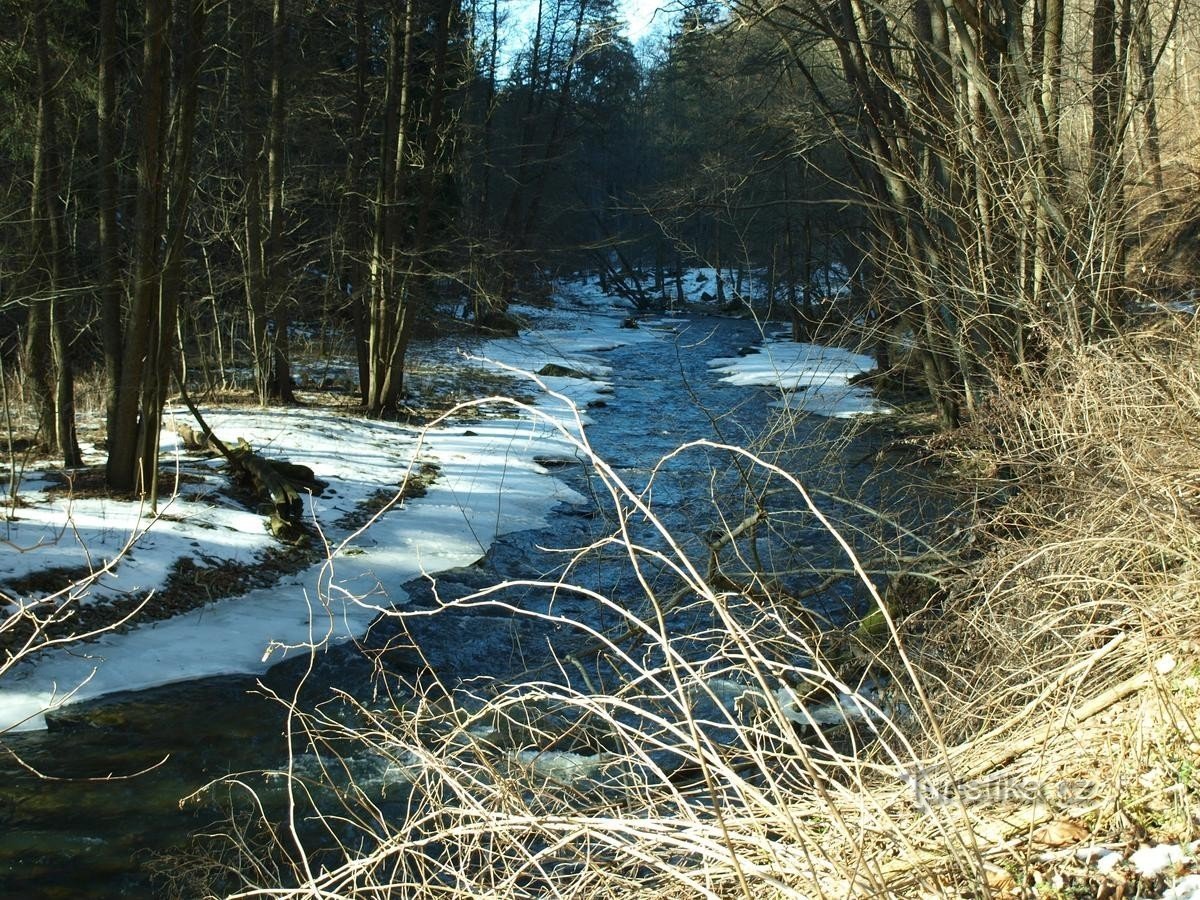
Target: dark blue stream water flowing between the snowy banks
(77, 819)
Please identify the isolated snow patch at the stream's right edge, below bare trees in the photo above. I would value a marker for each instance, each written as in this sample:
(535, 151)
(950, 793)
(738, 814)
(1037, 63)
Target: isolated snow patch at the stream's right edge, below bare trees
(814, 379)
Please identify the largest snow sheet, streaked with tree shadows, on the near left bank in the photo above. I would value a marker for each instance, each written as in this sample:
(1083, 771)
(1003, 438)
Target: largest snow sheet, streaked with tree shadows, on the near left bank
(463, 513)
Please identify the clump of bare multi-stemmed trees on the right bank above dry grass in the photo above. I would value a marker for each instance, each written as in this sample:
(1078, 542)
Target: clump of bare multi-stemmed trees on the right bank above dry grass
(989, 248)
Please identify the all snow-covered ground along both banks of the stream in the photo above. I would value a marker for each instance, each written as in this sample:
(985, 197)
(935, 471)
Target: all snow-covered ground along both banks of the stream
(490, 483)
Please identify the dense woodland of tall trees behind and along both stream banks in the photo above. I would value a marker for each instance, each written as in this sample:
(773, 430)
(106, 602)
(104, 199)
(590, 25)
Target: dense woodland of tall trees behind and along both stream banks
(185, 181)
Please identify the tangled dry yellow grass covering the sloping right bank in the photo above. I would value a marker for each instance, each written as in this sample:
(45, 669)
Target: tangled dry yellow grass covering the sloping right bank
(1065, 653)
